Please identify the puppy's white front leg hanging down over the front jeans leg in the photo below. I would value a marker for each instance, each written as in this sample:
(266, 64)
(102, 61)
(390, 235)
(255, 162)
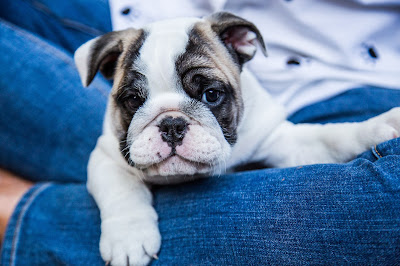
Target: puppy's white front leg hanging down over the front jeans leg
(129, 228)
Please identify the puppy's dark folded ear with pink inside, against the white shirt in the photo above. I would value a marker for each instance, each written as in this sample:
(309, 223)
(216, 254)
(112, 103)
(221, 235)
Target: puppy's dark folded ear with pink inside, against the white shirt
(239, 35)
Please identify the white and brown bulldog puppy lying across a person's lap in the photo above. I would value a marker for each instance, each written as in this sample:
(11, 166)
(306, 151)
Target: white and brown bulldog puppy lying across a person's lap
(182, 106)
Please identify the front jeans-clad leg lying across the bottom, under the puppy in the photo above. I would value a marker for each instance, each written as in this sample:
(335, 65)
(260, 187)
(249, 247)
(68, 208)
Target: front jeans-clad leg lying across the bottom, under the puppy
(319, 214)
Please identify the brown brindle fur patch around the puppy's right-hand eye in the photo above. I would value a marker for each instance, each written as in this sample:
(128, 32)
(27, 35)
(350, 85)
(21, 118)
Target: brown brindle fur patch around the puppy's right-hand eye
(207, 61)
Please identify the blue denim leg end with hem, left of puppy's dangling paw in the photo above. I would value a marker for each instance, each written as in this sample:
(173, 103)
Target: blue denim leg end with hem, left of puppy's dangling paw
(42, 232)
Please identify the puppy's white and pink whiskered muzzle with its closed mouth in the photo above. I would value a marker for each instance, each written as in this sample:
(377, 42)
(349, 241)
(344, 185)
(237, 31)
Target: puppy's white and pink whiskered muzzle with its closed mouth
(160, 158)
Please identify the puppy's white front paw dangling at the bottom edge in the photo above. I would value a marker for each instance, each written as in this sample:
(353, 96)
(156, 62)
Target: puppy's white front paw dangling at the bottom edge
(129, 241)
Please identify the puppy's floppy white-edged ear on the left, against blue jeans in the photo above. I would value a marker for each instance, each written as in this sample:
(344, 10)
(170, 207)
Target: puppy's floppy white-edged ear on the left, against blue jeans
(102, 54)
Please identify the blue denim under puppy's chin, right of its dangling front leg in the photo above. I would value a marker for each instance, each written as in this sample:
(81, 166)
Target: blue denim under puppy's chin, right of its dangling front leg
(320, 214)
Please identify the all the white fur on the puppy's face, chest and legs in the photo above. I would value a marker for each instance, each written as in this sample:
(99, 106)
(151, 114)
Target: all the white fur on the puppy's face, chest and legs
(129, 222)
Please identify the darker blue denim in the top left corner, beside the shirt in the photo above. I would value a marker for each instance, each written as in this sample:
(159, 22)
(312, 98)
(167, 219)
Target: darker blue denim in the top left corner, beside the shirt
(67, 24)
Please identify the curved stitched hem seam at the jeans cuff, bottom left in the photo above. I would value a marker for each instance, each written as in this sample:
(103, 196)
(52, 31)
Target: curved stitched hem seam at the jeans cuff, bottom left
(20, 218)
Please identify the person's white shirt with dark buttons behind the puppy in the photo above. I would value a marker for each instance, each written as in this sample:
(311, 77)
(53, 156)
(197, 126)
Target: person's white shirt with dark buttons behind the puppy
(316, 48)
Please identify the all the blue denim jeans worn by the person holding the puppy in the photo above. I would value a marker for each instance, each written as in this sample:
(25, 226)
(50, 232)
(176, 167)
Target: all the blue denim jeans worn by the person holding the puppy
(318, 214)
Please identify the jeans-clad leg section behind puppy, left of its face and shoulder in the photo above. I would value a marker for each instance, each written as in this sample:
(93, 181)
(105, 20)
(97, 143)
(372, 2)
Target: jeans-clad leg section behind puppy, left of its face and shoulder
(49, 122)
